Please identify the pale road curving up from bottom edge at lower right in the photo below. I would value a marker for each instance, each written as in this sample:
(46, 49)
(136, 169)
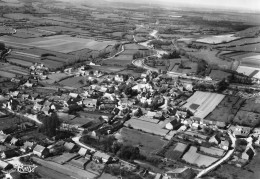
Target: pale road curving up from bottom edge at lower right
(226, 157)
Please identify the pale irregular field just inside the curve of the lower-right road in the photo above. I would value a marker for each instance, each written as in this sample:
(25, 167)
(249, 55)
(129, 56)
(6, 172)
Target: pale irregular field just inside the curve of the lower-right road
(200, 160)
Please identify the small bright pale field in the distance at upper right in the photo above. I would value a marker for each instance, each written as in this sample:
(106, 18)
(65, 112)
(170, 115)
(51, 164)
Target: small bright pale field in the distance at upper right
(217, 39)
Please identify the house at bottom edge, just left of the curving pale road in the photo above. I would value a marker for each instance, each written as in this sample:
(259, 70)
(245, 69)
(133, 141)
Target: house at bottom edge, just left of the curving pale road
(183, 173)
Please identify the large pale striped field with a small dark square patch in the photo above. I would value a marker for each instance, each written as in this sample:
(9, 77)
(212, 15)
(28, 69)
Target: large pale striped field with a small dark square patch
(205, 103)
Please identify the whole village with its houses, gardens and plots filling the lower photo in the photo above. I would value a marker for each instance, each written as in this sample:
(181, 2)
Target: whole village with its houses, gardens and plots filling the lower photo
(154, 126)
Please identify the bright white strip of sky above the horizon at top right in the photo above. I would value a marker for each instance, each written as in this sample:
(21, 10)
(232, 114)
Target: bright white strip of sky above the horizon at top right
(252, 5)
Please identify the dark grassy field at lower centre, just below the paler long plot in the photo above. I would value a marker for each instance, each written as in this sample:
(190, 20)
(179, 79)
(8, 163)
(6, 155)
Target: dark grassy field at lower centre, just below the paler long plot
(147, 143)
